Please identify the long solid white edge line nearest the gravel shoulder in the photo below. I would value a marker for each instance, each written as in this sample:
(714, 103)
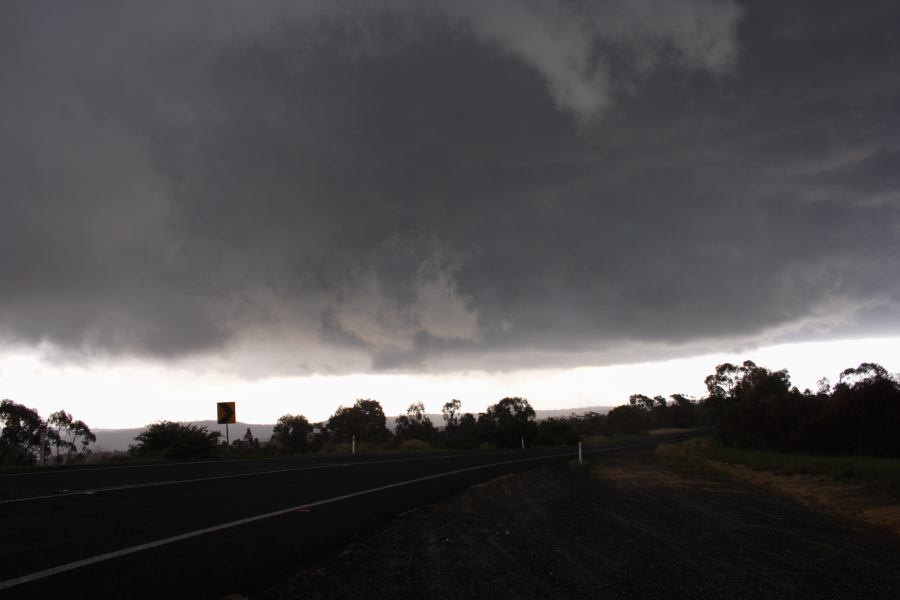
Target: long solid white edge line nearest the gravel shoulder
(4, 585)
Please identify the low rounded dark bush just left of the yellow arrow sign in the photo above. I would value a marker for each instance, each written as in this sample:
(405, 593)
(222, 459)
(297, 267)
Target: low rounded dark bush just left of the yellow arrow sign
(171, 440)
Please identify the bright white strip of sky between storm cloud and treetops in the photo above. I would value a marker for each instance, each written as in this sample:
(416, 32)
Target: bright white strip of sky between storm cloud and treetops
(133, 395)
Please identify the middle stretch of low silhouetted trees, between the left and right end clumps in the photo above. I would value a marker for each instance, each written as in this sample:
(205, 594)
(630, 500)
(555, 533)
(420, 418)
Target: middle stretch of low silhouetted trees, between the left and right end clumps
(509, 423)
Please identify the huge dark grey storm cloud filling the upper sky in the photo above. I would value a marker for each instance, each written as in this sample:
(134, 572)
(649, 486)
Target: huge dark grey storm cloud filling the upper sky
(471, 184)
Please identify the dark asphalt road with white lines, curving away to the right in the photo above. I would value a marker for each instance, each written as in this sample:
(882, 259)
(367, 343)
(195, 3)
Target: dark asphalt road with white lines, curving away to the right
(207, 529)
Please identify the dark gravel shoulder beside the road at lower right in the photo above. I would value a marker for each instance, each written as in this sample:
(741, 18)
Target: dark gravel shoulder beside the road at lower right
(623, 527)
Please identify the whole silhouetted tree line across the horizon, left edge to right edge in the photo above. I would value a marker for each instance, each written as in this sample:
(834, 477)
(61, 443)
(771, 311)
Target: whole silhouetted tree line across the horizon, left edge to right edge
(746, 405)
